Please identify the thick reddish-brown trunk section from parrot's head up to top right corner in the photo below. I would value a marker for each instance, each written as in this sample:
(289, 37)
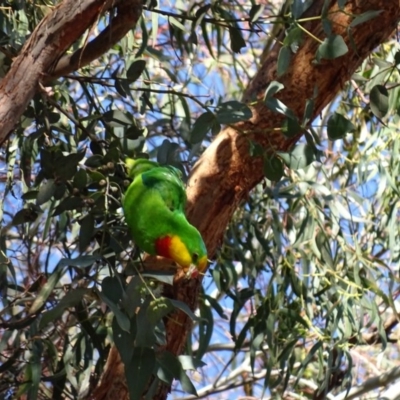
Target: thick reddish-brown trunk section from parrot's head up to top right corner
(227, 172)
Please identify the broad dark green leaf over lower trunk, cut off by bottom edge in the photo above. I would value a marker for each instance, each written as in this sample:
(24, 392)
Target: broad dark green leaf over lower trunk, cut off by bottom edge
(139, 371)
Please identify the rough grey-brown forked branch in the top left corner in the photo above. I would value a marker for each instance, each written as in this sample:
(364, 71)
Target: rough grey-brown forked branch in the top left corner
(41, 59)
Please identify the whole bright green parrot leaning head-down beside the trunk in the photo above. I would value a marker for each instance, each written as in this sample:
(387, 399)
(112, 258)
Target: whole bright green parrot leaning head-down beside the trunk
(154, 208)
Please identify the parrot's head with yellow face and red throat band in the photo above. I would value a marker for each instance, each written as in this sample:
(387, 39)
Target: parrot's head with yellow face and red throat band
(188, 251)
